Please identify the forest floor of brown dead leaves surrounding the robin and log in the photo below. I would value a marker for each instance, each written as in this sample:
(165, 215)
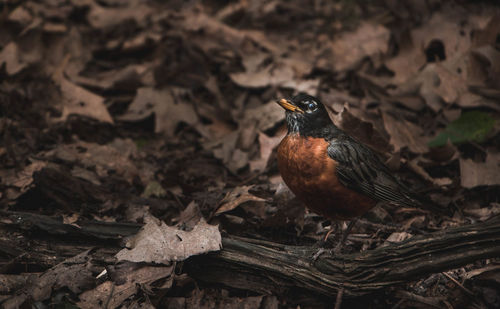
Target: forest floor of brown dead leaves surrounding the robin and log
(117, 115)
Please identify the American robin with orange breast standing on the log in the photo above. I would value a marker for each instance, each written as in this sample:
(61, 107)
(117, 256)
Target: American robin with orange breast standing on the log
(330, 172)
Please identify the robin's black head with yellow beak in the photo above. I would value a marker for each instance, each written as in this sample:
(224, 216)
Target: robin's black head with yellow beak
(305, 115)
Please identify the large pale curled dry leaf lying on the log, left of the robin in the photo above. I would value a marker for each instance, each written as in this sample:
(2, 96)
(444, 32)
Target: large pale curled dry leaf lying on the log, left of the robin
(159, 243)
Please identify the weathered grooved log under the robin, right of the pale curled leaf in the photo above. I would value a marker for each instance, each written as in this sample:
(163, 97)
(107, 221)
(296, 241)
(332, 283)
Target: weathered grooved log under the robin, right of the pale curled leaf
(270, 267)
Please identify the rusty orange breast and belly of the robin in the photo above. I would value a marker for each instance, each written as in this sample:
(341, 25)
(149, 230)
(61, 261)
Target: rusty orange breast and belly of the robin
(311, 175)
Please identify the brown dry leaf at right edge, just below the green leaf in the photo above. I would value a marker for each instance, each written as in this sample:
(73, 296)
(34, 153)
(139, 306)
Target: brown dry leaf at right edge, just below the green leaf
(475, 174)
